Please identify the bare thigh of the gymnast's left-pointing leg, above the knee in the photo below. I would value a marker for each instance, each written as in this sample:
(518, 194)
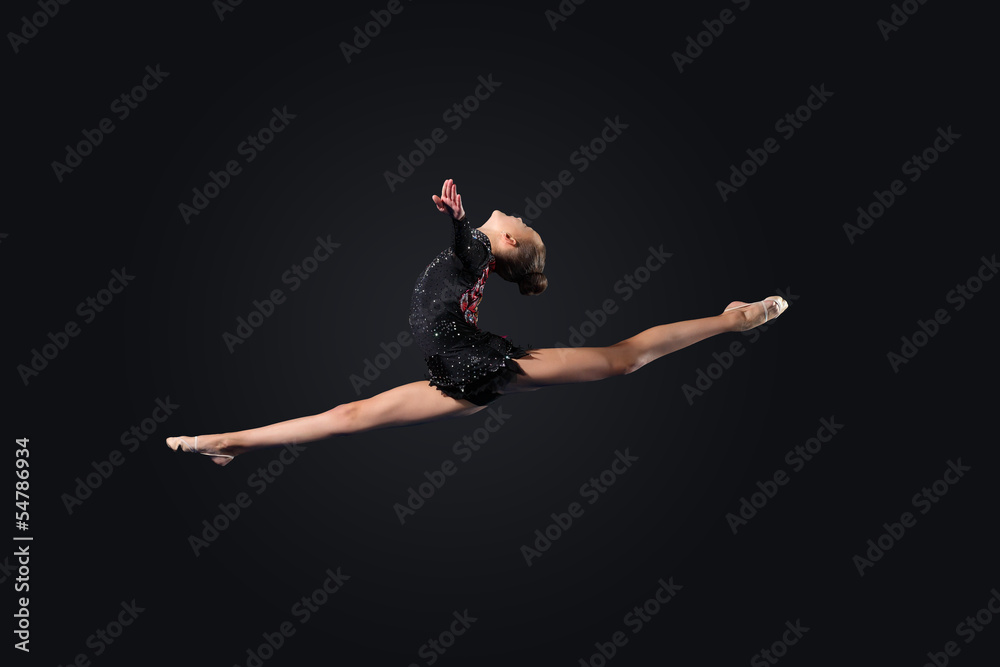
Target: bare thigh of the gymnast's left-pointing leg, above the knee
(411, 403)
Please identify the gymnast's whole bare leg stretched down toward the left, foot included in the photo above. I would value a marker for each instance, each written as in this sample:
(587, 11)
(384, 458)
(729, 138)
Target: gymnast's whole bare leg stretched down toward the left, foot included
(412, 403)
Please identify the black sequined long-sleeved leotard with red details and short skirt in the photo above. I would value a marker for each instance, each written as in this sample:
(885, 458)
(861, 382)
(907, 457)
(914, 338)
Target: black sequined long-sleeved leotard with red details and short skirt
(463, 361)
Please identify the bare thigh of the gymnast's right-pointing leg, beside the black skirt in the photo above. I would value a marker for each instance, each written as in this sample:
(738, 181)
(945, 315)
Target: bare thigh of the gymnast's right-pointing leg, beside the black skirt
(568, 365)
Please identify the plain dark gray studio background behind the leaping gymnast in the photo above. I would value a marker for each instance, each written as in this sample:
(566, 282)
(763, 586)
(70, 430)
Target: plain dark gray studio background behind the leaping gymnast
(655, 185)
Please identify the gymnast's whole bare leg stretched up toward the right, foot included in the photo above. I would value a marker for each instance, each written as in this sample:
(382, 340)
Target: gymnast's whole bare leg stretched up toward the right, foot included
(567, 365)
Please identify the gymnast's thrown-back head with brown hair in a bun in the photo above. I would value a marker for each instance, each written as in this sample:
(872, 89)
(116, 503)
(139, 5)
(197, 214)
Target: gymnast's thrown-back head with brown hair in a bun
(519, 251)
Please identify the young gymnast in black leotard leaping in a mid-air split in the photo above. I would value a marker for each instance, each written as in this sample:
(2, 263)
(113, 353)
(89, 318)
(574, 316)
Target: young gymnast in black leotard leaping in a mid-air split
(467, 367)
